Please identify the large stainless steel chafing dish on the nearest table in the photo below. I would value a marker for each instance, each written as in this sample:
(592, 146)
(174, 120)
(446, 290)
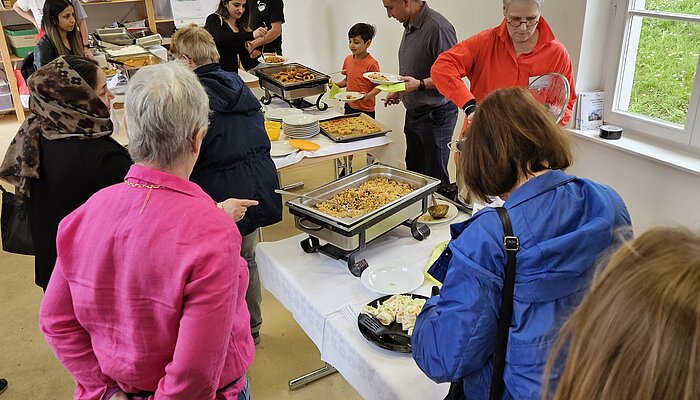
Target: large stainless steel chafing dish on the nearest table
(345, 237)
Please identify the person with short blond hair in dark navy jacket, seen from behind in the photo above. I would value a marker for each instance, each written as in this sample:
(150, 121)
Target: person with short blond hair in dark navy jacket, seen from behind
(235, 157)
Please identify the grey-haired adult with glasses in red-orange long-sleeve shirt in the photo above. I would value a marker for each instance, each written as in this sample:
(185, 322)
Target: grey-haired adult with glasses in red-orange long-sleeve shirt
(514, 53)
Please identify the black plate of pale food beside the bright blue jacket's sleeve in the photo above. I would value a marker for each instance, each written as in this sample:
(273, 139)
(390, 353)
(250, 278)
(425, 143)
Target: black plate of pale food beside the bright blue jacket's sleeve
(398, 314)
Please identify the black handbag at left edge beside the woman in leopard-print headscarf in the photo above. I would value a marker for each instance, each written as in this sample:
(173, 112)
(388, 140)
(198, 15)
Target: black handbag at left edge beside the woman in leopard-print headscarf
(16, 235)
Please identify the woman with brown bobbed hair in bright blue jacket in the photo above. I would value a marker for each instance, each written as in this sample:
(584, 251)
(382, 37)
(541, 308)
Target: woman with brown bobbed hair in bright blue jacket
(514, 150)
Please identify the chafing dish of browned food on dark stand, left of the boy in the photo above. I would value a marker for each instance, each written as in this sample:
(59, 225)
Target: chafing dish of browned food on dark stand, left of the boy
(293, 93)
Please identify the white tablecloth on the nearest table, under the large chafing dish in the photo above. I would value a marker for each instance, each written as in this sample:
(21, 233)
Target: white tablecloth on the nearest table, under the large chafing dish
(323, 298)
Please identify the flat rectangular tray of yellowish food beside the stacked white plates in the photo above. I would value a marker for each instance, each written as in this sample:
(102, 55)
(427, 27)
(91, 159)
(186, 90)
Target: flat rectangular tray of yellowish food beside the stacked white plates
(352, 127)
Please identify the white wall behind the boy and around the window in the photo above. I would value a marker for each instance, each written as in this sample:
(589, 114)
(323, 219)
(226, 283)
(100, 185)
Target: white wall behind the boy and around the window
(316, 34)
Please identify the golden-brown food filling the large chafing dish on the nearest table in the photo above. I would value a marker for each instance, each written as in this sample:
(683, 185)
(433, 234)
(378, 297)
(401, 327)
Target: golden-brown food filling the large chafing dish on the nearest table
(358, 201)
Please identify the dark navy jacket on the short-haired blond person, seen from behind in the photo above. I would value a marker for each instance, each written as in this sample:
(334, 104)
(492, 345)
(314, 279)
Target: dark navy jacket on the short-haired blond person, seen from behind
(235, 157)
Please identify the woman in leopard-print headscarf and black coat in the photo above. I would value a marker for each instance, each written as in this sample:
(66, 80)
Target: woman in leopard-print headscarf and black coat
(63, 153)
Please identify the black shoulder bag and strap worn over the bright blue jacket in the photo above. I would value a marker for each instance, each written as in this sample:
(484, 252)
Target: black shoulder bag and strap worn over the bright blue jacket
(512, 245)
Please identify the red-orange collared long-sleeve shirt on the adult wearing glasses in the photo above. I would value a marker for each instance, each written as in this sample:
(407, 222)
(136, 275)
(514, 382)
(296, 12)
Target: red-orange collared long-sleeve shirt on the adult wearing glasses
(488, 60)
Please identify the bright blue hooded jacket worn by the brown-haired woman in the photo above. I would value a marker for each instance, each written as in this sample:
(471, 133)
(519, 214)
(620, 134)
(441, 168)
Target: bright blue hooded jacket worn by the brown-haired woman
(564, 224)
